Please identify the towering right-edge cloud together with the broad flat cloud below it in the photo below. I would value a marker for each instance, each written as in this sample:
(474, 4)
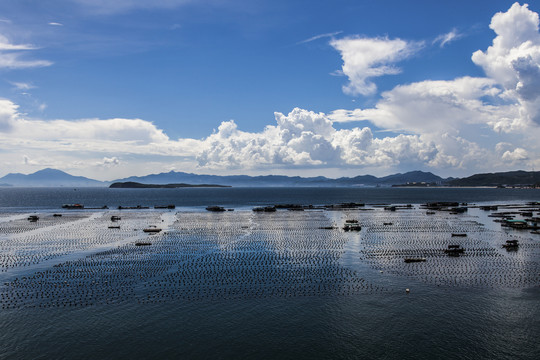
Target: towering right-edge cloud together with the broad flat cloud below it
(507, 100)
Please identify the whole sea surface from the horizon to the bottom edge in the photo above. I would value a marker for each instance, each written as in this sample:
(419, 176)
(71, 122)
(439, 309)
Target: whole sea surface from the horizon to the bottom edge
(254, 285)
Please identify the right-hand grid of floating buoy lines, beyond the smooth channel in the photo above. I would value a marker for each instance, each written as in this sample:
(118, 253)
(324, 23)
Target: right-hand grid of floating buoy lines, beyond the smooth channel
(391, 237)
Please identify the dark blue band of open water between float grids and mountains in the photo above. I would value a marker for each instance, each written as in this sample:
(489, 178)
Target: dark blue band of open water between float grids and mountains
(47, 198)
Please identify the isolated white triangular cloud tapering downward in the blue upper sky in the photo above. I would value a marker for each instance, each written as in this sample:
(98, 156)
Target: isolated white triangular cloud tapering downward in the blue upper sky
(366, 58)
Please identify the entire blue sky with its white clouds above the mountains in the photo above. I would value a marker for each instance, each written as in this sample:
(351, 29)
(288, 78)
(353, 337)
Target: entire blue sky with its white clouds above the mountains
(110, 89)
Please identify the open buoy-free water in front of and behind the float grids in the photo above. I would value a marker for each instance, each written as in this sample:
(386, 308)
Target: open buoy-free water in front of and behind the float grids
(432, 322)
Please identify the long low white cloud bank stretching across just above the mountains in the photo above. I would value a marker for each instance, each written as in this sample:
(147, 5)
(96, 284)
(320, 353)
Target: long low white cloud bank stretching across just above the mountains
(298, 140)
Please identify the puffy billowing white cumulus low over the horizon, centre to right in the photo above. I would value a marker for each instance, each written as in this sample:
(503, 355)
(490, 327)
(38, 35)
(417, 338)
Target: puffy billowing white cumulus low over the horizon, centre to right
(306, 138)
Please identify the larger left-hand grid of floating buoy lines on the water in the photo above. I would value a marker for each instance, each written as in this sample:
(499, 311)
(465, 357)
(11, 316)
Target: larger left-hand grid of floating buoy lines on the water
(227, 255)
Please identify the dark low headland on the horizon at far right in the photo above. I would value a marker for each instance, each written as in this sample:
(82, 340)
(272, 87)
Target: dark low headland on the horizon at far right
(511, 178)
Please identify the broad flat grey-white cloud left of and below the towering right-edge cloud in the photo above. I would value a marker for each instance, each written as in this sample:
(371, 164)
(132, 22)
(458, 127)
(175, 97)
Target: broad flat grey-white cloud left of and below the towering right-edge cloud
(434, 106)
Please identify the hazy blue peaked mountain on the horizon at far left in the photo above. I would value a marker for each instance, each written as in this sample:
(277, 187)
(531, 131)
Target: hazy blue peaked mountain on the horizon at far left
(49, 177)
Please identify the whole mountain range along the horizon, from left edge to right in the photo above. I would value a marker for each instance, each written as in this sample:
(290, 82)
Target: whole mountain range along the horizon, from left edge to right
(56, 178)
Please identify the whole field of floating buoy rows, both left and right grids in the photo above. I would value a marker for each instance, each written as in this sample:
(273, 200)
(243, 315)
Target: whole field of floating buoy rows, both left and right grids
(245, 255)
